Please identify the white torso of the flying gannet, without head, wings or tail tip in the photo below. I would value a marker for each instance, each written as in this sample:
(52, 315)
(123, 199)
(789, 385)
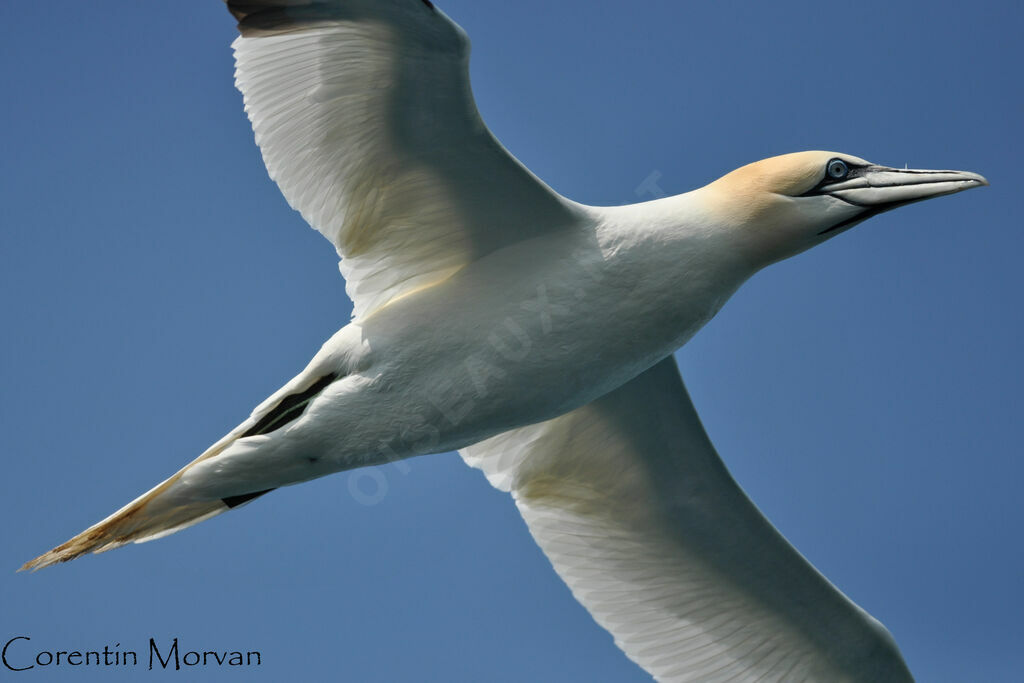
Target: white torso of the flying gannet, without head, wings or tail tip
(523, 335)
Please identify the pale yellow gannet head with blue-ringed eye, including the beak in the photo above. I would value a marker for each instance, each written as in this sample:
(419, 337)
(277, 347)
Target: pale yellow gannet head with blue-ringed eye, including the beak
(788, 204)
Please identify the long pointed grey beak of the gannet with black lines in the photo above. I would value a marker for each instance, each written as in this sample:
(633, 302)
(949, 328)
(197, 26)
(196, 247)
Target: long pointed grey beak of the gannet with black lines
(883, 188)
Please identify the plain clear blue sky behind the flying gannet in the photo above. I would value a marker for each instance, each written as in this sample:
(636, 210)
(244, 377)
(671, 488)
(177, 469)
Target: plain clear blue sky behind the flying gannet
(156, 287)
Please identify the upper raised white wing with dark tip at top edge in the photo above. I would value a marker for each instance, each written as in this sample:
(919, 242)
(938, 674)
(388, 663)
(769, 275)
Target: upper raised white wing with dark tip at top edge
(364, 113)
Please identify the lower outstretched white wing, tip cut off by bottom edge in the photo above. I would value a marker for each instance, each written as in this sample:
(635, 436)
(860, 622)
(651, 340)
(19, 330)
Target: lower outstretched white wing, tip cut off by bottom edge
(639, 517)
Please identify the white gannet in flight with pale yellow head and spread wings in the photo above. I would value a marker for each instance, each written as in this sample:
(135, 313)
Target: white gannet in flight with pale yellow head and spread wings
(535, 335)
